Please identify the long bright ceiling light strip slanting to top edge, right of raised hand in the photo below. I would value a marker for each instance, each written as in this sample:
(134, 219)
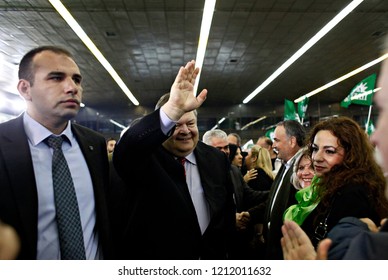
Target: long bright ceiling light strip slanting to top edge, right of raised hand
(341, 15)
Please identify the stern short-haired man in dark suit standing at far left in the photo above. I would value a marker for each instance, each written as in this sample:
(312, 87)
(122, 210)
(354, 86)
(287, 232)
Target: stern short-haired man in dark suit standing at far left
(50, 83)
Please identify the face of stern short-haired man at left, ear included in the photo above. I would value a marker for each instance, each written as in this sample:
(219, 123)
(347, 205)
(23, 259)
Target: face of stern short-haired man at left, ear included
(56, 92)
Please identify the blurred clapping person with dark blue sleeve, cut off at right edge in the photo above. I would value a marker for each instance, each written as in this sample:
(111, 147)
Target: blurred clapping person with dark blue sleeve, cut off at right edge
(351, 238)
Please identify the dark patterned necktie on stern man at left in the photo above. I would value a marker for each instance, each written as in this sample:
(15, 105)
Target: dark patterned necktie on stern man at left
(70, 232)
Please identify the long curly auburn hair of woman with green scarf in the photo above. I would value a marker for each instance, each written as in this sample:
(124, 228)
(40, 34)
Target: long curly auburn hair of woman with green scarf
(358, 166)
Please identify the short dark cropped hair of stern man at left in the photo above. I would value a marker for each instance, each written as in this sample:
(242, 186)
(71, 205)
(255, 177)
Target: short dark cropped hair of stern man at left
(26, 67)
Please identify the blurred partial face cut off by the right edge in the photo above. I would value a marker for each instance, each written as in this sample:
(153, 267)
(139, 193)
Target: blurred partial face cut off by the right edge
(380, 136)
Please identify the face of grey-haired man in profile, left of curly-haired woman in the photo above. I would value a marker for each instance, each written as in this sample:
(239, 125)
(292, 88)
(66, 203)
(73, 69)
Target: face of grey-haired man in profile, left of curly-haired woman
(283, 144)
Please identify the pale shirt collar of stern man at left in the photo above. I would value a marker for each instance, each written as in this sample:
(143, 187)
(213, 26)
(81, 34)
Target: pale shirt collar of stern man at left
(37, 133)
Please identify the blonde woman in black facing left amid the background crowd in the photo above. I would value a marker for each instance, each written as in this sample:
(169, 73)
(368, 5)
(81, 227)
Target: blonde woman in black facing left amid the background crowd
(258, 163)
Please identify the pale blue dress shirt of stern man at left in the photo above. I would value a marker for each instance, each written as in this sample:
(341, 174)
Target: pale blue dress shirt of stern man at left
(48, 241)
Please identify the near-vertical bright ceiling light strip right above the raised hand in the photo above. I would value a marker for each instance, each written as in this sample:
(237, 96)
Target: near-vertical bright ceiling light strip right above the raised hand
(207, 18)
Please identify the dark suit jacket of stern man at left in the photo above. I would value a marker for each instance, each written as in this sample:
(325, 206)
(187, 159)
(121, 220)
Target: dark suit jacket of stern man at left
(18, 192)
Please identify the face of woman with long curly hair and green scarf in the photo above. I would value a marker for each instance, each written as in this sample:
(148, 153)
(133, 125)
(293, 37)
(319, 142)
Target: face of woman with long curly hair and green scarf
(326, 152)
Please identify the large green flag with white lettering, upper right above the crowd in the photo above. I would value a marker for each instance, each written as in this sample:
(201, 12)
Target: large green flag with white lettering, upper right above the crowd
(362, 93)
